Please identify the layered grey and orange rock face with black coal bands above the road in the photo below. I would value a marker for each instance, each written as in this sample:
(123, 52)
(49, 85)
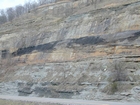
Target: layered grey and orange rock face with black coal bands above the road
(73, 49)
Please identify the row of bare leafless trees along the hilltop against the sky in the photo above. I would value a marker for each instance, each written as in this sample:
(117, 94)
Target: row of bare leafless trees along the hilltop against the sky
(13, 12)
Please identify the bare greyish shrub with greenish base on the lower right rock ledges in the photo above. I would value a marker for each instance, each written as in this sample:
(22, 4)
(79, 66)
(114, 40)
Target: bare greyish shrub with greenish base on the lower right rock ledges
(117, 75)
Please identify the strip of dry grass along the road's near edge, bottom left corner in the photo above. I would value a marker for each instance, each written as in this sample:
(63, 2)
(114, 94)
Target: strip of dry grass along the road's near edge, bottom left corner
(9, 102)
